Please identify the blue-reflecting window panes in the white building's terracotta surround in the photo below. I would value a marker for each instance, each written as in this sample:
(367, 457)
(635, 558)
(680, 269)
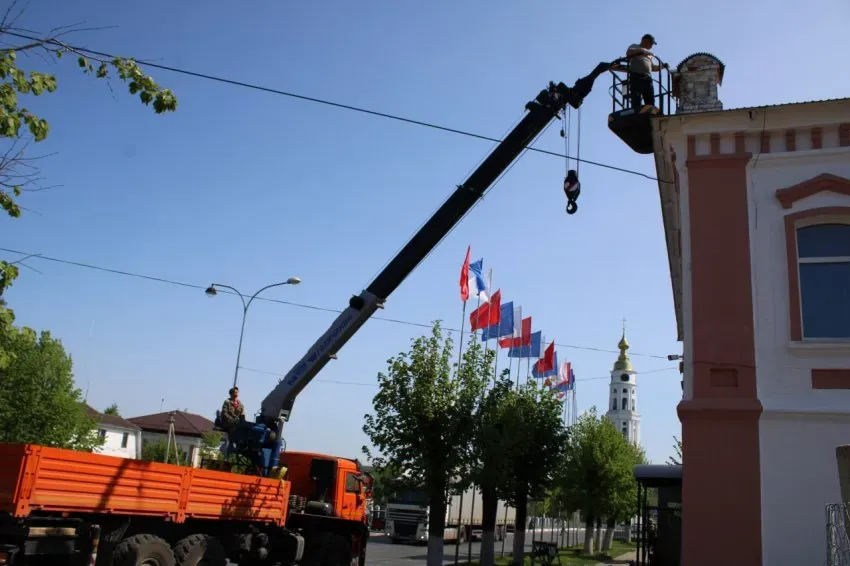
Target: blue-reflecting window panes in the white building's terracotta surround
(823, 257)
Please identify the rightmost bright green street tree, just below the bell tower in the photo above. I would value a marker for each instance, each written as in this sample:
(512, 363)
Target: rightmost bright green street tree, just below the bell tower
(597, 474)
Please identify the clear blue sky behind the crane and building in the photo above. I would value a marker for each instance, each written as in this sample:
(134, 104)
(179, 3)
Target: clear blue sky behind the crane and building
(247, 188)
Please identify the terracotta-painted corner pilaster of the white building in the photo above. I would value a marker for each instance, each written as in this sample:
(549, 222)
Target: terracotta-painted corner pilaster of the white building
(721, 491)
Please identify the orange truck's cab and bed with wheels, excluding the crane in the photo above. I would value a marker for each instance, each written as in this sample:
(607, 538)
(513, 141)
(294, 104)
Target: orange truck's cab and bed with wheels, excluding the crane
(62, 507)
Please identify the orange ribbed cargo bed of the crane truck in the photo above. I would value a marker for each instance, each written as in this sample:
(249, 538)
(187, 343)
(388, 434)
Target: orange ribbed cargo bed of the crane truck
(40, 479)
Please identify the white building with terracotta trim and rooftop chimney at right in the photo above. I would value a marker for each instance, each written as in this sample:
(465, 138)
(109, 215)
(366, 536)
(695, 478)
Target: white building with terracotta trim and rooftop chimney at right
(756, 210)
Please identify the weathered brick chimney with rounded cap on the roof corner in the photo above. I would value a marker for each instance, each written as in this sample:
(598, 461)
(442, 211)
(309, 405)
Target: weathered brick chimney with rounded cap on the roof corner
(695, 83)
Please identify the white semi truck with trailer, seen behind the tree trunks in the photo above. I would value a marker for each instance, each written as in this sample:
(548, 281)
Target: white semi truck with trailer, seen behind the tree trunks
(408, 515)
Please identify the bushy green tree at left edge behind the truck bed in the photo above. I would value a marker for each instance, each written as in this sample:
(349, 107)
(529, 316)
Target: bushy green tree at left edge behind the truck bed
(39, 403)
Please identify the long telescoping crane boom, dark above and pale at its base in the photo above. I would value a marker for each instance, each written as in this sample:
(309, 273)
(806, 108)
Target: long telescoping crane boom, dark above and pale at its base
(277, 405)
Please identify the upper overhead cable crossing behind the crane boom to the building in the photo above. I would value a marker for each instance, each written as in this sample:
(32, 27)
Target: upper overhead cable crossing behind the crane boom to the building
(330, 103)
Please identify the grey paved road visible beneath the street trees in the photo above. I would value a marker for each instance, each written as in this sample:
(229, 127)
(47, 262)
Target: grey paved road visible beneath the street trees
(381, 552)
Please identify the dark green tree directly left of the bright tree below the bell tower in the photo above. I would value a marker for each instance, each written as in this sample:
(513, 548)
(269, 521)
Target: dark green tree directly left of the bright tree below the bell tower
(537, 438)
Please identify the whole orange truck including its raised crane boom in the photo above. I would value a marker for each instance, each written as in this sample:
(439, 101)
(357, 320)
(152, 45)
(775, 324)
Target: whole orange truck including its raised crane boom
(297, 508)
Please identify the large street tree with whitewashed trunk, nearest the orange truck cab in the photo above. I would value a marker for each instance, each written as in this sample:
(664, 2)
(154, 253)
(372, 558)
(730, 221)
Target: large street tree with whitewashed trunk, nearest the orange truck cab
(423, 417)
